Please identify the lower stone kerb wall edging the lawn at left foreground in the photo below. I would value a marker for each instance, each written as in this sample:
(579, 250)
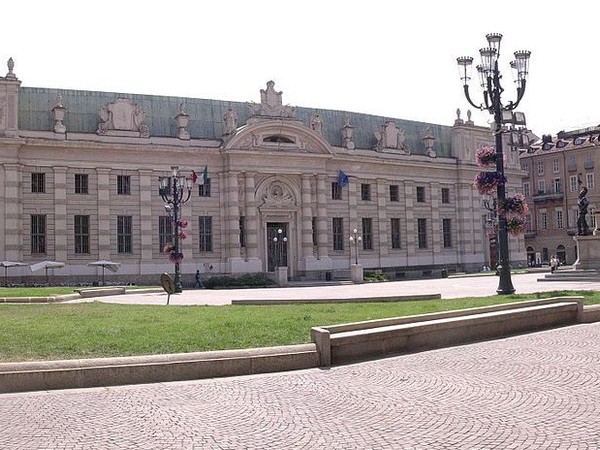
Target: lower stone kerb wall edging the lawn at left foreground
(84, 373)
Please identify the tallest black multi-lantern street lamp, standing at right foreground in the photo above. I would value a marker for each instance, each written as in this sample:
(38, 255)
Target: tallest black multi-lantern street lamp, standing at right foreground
(489, 77)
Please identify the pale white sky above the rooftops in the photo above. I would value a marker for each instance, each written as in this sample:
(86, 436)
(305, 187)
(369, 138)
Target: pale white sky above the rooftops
(389, 58)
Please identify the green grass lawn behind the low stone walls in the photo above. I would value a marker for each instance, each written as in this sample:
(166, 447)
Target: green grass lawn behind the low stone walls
(86, 330)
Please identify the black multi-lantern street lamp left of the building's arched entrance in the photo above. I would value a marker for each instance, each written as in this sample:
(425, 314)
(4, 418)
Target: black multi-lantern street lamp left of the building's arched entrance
(175, 191)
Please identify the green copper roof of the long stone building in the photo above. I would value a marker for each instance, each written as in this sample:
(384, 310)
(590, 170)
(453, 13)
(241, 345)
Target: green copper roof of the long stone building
(206, 117)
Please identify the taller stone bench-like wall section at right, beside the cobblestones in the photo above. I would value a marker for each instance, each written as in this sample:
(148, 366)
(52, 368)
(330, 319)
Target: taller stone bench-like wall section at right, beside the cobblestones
(340, 344)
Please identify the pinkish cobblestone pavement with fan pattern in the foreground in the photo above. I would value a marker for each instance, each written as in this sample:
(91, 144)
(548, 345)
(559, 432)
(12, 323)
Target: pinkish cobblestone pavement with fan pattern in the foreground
(536, 391)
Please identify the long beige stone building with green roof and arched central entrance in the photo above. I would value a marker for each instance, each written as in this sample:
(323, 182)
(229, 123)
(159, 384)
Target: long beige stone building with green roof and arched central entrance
(80, 173)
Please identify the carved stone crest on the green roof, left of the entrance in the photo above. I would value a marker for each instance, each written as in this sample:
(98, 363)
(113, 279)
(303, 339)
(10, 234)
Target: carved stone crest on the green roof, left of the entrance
(123, 117)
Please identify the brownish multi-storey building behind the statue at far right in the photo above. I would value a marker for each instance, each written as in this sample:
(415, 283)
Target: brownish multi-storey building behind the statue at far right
(555, 172)
